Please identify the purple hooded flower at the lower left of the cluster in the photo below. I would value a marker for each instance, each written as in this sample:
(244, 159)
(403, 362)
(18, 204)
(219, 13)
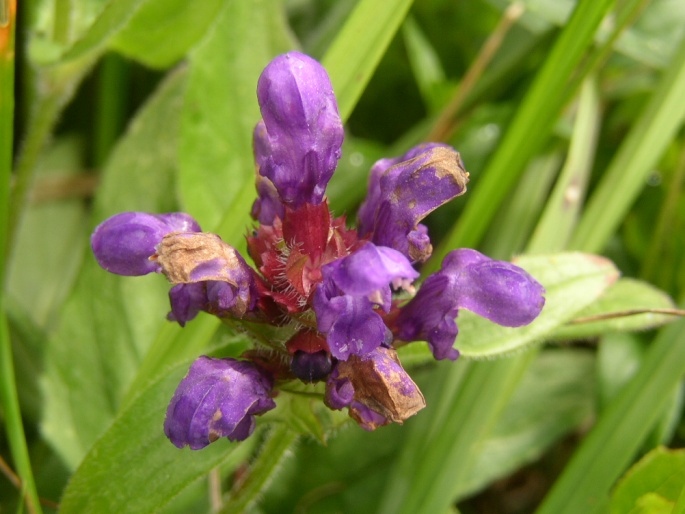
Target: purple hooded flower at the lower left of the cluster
(217, 398)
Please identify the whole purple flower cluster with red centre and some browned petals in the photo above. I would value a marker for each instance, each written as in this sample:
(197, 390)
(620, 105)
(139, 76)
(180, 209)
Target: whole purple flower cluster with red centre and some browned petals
(340, 298)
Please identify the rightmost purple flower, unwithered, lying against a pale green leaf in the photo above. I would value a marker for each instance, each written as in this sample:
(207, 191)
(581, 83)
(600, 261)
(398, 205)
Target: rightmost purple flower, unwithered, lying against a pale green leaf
(496, 290)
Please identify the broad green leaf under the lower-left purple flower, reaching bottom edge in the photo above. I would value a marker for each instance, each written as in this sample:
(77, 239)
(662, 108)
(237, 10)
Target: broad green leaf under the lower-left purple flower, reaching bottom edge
(134, 467)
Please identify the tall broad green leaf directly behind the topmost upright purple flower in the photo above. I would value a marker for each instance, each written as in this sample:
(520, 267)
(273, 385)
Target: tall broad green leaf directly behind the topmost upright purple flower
(221, 110)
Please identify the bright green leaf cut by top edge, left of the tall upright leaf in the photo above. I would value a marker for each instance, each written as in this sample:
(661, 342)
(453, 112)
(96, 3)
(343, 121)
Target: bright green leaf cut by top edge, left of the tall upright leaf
(161, 31)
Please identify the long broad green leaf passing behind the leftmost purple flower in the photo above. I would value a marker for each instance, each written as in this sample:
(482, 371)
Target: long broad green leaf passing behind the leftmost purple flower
(107, 321)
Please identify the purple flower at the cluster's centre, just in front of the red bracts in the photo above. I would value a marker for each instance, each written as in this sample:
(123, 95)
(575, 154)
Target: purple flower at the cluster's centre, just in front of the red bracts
(344, 302)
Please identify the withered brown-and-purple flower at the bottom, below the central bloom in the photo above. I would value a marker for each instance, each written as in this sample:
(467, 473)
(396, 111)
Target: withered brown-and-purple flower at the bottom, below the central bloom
(376, 389)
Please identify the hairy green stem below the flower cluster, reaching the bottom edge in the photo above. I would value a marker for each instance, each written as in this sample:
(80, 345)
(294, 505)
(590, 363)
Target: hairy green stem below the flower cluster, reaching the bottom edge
(271, 455)
